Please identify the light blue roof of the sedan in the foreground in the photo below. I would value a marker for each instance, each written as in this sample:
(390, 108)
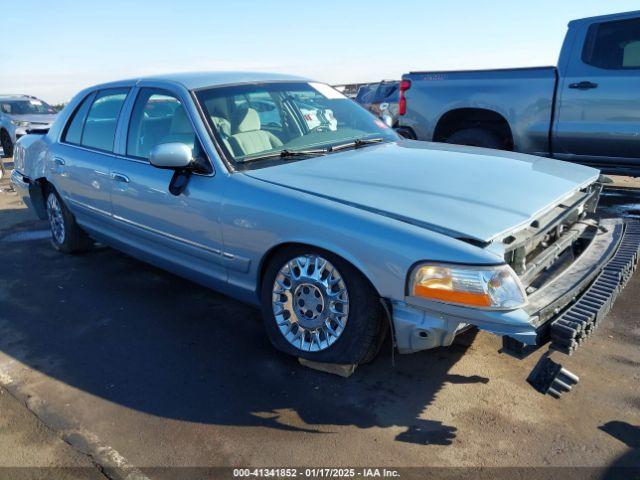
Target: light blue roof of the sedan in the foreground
(196, 80)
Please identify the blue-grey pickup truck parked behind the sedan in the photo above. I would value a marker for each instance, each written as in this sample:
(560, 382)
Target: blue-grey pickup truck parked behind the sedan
(587, 110)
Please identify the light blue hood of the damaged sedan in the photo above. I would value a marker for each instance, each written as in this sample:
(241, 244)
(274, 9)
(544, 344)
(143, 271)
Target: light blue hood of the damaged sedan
(464, 192)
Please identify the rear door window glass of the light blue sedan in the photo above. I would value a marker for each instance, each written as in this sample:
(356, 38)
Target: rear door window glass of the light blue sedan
(100, 126)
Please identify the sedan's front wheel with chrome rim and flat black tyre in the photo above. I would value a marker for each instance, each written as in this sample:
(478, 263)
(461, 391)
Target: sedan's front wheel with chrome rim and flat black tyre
(319, 307)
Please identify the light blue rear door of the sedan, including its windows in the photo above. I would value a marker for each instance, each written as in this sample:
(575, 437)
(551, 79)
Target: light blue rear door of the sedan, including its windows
(79, 165)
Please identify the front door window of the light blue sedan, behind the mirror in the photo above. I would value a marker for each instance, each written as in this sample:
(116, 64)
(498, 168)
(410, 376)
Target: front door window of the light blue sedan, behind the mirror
(157, 117)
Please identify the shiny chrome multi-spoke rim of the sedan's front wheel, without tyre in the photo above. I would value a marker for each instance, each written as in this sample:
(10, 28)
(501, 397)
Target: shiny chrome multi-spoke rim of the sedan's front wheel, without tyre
(310, 303)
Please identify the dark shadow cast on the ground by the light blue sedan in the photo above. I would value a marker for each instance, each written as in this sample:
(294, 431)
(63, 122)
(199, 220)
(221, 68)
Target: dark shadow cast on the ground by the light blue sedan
(137, 336)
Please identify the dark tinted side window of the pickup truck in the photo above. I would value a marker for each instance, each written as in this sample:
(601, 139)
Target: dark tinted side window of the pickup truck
(613, 45)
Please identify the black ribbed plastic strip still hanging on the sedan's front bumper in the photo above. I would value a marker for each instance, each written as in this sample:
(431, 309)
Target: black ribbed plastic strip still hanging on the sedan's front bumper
(571, 328)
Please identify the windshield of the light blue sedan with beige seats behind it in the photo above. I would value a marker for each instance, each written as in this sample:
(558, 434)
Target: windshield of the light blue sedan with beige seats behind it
(258, 121)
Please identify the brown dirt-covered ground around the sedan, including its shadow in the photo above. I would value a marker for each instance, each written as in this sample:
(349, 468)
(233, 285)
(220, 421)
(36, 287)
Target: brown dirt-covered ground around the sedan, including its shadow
(139, 368)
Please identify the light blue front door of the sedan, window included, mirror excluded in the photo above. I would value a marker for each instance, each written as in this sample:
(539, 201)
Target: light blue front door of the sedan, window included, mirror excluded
(181, 233)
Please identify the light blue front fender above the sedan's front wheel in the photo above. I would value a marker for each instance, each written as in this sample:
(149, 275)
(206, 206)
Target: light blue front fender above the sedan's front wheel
(258, 216)
